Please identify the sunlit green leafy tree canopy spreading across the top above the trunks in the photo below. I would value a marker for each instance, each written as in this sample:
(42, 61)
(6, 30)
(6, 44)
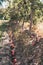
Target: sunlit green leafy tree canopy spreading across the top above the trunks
(21, 10)
